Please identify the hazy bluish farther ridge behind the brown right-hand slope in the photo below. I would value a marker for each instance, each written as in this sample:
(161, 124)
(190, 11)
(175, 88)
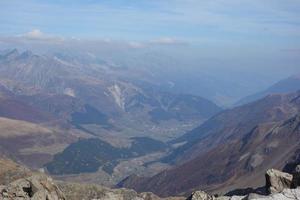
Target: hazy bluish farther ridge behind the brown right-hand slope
(234, 124)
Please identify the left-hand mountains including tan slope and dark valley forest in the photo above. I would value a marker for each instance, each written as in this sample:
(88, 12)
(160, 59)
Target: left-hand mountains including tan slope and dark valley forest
(53, 106)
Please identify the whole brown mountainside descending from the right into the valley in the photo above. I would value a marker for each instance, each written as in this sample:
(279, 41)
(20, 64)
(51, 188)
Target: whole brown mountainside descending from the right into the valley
(231, 150)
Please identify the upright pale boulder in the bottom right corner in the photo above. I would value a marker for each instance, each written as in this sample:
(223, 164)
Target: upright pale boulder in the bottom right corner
(276, 180)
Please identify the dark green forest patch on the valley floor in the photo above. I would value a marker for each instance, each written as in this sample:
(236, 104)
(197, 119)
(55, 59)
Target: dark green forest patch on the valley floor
(90, 154)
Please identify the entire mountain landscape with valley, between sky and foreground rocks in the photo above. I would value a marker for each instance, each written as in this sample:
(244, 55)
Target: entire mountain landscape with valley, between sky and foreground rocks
(88, 120)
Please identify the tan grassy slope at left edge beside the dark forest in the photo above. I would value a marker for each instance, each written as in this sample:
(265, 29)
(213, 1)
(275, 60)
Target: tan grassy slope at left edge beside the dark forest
(33, 144)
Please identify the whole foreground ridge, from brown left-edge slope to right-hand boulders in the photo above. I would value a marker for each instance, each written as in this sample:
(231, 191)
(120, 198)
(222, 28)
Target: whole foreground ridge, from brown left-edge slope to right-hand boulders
(17, 182)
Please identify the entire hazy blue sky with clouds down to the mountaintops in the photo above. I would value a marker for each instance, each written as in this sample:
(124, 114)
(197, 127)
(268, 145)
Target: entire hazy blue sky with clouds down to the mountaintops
(239, 33)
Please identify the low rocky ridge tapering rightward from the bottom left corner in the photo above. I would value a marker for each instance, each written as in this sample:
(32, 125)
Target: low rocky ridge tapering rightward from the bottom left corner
(41, 187)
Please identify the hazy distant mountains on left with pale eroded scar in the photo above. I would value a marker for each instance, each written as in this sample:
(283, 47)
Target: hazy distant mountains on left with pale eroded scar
(48, 82)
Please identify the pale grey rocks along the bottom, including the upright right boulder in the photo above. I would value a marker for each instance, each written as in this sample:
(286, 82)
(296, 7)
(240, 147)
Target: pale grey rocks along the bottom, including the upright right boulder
(41, 187)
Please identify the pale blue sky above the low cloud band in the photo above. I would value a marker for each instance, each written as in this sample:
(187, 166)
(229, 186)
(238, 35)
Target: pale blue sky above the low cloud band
(269, 21)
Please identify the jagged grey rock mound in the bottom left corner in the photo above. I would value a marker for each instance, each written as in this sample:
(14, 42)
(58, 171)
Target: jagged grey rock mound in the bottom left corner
(35, 187)
